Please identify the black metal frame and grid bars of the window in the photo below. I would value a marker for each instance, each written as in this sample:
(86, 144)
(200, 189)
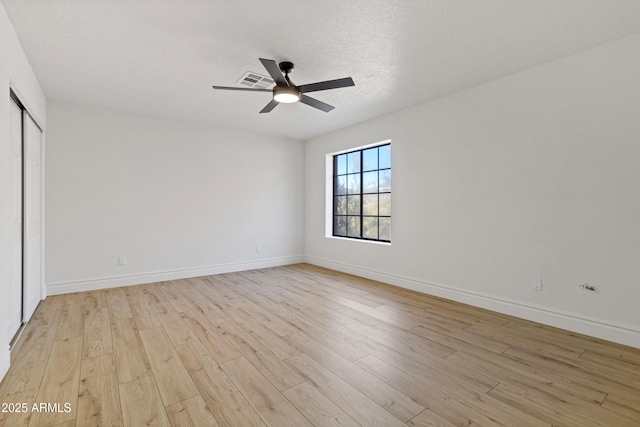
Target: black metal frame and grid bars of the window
(361, 193)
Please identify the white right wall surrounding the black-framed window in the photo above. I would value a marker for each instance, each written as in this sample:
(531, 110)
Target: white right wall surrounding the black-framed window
(533, 175)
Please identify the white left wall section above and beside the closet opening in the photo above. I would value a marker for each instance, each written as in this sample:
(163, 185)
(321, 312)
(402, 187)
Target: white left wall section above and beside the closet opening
(15, 71)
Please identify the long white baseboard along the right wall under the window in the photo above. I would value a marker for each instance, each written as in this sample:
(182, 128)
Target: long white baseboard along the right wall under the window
(619, 333)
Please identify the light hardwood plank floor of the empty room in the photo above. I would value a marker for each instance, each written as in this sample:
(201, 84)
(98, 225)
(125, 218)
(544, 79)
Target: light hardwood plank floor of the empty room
(301, 346)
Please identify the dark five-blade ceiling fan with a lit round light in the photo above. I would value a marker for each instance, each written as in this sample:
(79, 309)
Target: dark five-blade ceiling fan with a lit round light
(286, 92)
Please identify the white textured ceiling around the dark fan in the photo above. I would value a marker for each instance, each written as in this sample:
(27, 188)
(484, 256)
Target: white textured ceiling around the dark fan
(161, 57)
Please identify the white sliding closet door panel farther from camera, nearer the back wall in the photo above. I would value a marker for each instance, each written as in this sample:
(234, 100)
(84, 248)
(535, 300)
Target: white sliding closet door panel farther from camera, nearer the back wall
(32, 216)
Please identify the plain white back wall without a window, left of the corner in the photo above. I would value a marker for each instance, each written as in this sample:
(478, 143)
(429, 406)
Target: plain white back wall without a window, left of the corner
(178, 199)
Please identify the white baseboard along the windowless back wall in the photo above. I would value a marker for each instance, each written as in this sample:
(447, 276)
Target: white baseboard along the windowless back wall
(158, 276)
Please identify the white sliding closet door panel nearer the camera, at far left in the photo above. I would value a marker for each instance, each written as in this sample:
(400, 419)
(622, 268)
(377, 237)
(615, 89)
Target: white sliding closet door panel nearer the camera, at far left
(15, 286)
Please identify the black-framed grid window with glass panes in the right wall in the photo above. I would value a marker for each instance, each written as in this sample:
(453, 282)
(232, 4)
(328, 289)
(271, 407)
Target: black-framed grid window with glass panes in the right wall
(362, 194)
